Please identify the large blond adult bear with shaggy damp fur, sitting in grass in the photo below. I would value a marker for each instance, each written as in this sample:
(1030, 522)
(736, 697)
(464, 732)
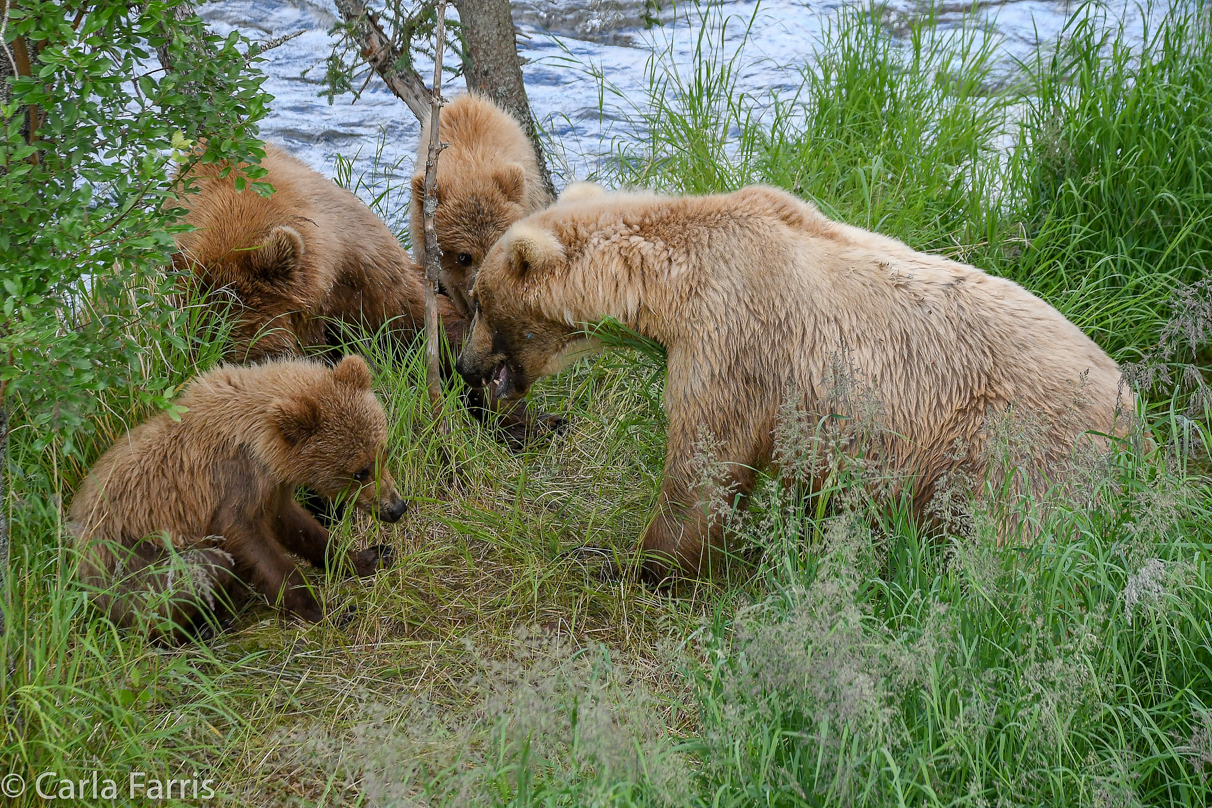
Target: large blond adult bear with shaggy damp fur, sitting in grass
(757, 296)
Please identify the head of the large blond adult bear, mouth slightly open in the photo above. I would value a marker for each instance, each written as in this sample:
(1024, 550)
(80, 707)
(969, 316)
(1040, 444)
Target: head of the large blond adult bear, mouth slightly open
(514, 341)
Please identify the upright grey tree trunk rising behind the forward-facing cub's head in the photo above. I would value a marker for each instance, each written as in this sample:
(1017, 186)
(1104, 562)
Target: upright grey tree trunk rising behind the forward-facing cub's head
(494, 70)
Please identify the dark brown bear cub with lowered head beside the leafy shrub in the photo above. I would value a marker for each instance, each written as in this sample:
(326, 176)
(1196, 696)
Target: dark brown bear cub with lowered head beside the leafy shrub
(299, 261)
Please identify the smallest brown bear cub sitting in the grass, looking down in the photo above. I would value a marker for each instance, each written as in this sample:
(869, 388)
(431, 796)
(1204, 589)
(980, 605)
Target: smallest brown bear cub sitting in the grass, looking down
(220, 485)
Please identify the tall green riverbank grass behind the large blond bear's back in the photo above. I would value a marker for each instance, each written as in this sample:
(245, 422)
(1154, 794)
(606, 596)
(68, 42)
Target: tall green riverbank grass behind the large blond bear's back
(1083, 175)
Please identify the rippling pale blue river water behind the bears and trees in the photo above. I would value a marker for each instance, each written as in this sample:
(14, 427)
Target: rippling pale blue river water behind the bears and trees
(574, 50)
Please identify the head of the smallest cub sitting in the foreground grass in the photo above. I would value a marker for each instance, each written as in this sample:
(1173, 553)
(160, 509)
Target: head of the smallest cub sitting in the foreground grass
(334, 440)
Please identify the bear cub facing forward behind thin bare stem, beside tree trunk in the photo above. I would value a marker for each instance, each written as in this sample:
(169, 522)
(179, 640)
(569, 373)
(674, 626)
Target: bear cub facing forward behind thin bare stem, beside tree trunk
(488, 179)
